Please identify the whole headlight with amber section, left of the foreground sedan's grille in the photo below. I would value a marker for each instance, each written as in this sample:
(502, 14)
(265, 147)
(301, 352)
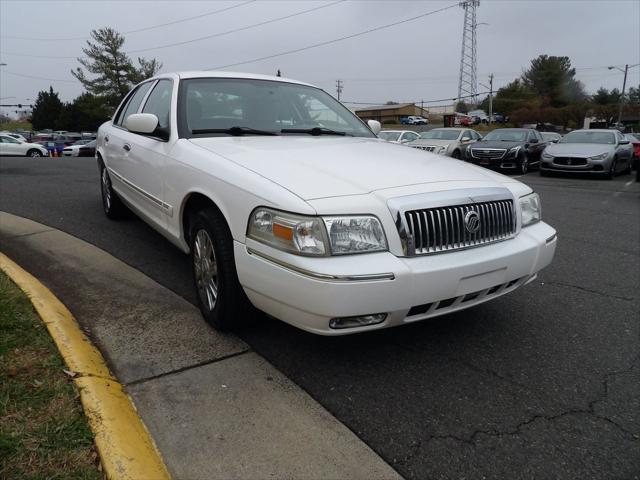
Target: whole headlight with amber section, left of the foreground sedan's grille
(306, 235)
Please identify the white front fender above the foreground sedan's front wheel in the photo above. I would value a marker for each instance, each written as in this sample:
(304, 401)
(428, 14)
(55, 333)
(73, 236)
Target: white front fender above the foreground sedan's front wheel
(235, 190)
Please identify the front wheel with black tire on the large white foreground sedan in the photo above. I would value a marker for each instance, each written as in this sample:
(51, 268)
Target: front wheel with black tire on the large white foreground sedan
(221, 299)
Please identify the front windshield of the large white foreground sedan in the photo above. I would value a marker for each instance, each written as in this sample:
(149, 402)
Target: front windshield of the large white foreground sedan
(221, 104)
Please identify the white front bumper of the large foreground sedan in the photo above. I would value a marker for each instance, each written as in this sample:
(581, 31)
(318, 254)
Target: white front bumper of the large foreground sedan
(316, 290)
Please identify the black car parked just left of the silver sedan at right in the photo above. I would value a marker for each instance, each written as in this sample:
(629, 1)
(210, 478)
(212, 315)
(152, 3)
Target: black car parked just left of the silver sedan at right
(508, 148)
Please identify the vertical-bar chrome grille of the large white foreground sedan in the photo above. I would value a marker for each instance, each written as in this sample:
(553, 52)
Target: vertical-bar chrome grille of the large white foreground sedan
(442, 229)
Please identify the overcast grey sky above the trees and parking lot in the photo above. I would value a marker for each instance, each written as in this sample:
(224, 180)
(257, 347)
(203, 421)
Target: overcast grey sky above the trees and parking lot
(418, 60)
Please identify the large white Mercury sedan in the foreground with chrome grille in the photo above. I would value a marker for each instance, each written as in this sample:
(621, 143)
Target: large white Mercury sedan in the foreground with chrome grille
(288, 202)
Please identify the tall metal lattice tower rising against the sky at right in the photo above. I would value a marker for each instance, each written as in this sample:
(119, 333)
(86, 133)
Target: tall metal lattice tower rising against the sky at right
(468, 83)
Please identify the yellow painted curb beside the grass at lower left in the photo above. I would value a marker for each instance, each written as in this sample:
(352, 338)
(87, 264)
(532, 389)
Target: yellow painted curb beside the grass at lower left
(126, 449)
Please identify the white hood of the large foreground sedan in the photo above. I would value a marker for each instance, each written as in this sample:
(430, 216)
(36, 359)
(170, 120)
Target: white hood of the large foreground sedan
(321, 167)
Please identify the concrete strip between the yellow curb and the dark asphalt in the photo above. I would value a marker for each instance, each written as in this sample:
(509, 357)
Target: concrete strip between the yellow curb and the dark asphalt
(214, 408)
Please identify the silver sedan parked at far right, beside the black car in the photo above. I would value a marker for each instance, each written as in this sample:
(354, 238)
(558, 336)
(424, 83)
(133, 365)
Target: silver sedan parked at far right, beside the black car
(601, 152)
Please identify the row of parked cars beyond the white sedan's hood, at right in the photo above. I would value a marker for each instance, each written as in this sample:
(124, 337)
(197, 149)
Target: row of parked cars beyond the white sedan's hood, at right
(601, 152)
